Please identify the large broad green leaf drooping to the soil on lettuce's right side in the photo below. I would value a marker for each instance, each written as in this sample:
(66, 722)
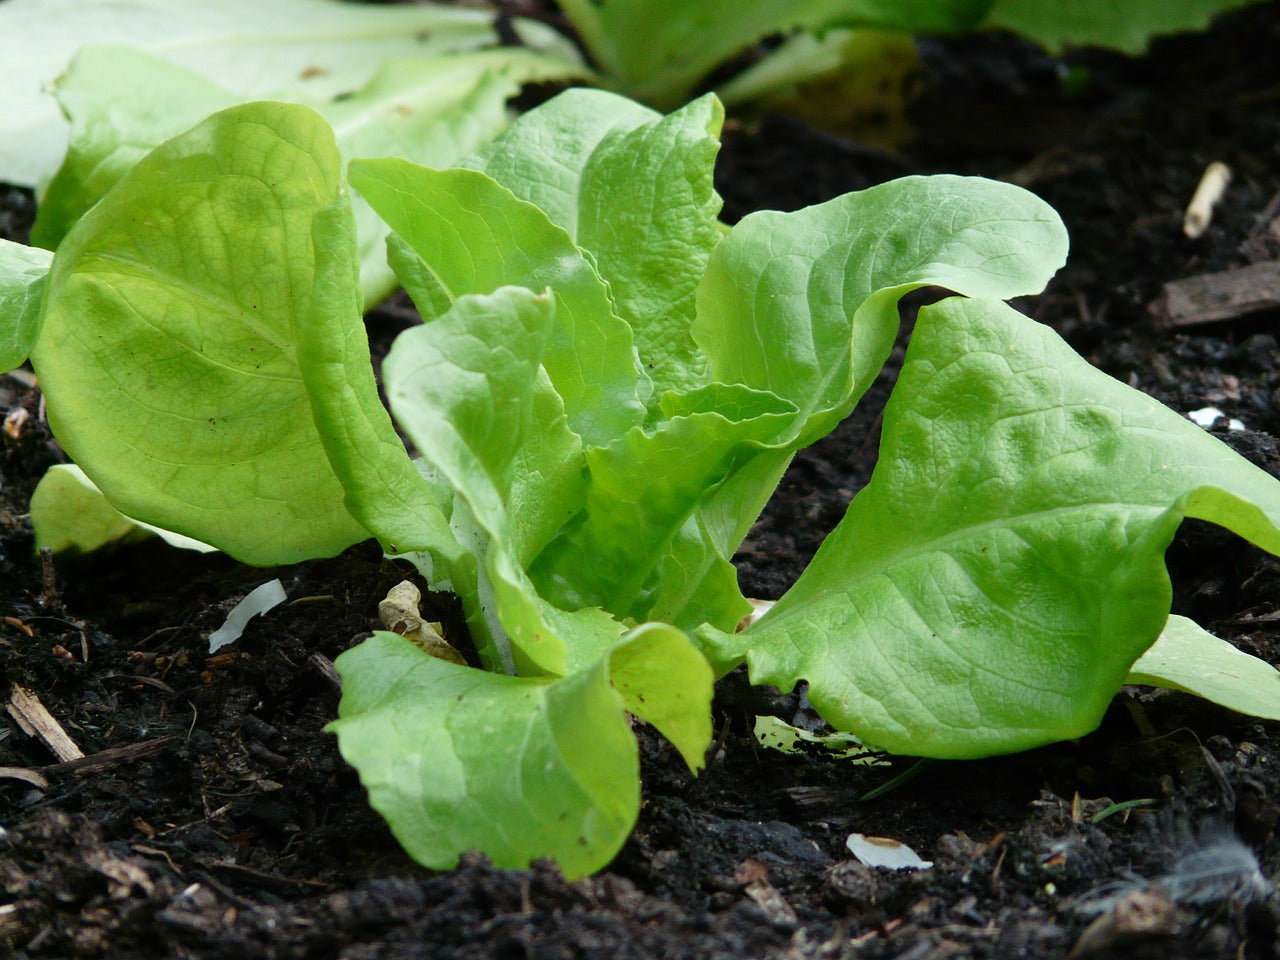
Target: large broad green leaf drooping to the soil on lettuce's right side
(993, 586)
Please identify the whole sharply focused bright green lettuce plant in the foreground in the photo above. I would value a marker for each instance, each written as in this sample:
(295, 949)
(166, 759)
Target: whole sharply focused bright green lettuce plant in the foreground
(606, 390)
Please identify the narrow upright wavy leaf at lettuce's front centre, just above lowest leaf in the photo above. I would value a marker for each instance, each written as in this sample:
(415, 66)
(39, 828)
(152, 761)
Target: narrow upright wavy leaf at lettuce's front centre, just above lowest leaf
(470, 392)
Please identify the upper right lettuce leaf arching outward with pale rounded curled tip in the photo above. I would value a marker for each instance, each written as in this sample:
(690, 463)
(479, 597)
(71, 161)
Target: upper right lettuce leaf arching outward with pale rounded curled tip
(804, 305)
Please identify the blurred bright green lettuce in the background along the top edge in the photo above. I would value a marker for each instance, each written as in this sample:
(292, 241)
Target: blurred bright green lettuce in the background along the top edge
(664, 51)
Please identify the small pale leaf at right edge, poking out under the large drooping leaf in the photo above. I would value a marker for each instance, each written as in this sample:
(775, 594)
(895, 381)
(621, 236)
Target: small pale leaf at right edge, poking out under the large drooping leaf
(1187, 657)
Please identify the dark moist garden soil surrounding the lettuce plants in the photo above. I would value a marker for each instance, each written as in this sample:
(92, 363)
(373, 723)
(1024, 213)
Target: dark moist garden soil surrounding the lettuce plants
(213, 819)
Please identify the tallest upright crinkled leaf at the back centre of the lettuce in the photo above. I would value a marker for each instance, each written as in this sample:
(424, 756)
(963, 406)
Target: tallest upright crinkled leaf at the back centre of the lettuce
(636, 191)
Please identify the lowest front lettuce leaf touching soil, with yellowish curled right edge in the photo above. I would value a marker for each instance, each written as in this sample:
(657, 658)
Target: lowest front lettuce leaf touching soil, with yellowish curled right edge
(459, 760)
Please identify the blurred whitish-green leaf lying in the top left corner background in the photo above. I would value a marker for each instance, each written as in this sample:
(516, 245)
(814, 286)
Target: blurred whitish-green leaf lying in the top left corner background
(316, 51)
